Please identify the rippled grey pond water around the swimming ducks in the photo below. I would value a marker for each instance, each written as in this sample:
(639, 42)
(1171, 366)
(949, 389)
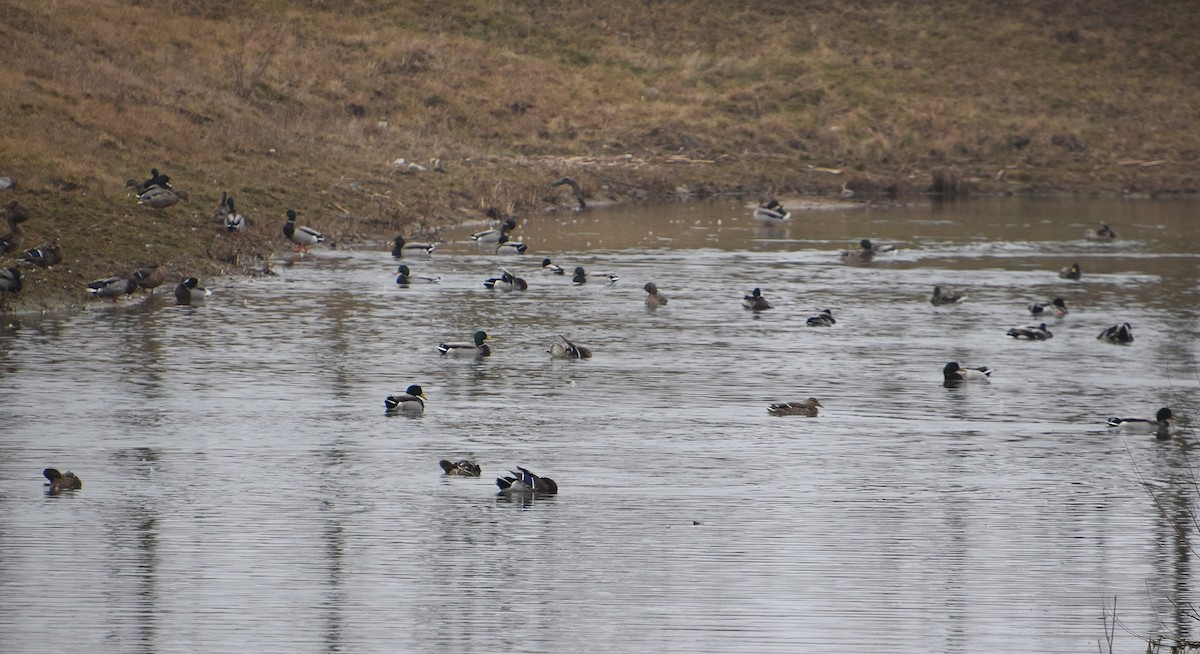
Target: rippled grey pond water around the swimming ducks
(244, 490)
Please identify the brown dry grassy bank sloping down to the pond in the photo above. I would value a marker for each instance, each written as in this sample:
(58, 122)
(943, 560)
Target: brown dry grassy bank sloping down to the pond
(309, 105)
